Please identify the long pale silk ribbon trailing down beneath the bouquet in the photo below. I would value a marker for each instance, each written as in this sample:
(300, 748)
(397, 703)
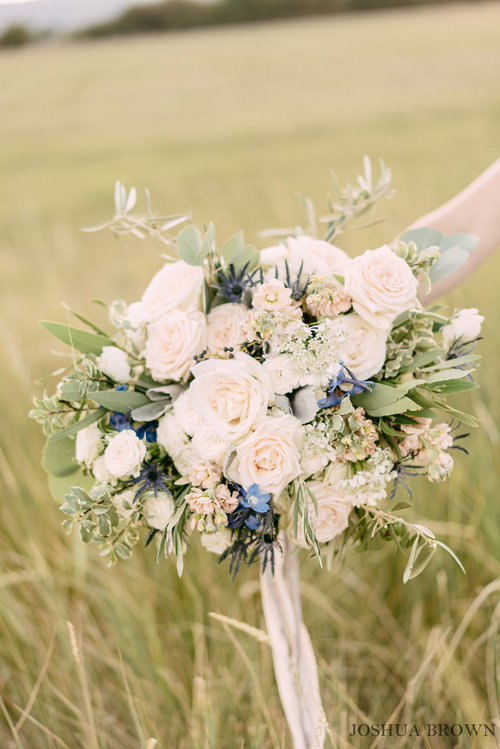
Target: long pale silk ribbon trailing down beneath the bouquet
(293, 656)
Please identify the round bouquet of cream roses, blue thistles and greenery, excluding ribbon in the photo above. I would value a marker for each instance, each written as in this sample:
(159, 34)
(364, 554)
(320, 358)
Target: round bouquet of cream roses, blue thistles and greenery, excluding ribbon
(251, 394)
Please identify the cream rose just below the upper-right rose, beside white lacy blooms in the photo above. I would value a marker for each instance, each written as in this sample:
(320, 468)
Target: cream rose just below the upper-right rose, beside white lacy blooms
(363, 349)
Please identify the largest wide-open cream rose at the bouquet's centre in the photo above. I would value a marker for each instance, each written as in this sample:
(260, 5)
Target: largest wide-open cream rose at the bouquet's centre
(230, 394)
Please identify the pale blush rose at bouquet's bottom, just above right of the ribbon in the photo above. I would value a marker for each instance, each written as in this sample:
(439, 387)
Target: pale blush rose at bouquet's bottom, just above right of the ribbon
(332, 517)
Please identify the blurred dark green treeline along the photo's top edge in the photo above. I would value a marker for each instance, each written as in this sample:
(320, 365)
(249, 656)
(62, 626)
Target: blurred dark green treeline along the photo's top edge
(182, 14)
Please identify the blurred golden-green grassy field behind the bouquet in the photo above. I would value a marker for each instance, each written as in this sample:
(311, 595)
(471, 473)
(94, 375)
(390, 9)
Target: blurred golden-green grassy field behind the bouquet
(230, 124)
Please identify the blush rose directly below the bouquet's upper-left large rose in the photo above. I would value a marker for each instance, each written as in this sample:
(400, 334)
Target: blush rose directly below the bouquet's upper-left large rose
(172, 342)
